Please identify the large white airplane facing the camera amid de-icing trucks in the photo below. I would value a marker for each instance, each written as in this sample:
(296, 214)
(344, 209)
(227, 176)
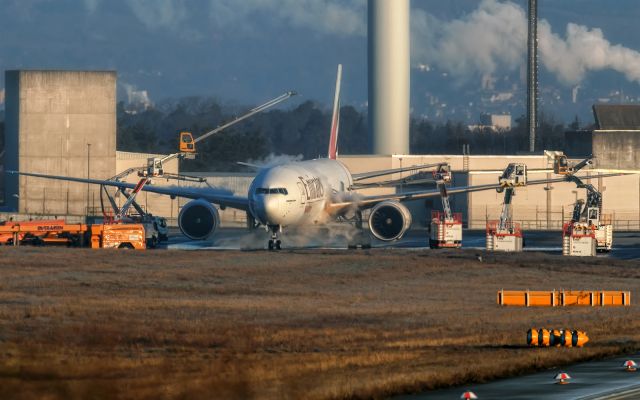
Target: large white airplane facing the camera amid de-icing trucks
(299, 193)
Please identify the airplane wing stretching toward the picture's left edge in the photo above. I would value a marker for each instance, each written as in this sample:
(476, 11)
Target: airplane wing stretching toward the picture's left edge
(222, 197)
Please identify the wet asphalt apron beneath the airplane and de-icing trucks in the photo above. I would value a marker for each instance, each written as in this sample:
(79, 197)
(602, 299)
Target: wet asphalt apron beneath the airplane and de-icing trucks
(626, 245)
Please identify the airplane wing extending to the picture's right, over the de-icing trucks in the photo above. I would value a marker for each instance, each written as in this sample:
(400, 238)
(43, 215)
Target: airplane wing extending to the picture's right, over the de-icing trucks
(364, 202)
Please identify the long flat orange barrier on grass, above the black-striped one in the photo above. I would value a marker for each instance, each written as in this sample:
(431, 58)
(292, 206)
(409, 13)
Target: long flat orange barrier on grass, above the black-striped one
(560, 298)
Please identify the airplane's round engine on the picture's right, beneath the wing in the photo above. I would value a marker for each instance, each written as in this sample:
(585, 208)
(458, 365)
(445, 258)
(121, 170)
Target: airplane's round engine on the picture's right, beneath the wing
(389, 220)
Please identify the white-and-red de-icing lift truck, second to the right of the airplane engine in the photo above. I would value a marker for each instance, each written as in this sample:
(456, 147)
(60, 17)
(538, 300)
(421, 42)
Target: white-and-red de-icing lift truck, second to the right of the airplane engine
(504, 234)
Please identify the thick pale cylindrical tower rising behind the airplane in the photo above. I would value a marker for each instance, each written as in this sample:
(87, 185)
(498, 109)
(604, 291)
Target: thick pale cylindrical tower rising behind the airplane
(389, 45)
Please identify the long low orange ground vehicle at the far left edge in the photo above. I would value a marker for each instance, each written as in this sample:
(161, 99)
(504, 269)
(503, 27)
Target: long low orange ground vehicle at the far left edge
(58, 232)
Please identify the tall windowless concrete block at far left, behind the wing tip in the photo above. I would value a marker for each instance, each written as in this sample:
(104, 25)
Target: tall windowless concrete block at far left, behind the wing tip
(59, 123)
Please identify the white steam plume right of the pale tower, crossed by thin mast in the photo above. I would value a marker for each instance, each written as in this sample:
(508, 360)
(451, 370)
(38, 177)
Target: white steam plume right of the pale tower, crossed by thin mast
(493, 38)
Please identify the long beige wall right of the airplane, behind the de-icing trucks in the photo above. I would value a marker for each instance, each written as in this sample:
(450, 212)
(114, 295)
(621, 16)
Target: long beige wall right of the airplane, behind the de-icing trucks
(537, 207)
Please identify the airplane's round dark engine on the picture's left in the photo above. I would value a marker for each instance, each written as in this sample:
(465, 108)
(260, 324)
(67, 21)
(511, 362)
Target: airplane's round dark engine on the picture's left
(198, 219)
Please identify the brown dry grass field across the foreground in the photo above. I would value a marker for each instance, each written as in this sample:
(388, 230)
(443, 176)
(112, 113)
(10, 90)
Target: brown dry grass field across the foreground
(294, 324)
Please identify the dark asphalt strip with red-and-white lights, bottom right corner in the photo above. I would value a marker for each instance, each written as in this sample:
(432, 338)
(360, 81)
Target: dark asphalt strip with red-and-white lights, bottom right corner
(589, 381)
